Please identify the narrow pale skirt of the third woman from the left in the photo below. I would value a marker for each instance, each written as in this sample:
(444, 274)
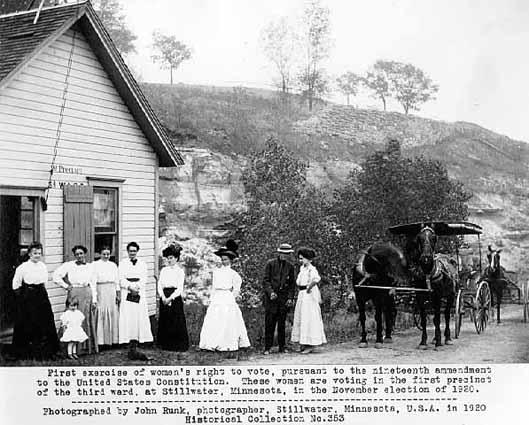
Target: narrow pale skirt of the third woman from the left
(107, 314)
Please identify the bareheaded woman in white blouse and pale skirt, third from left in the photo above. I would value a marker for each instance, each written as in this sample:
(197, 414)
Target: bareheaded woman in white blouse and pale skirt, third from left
(106, 275)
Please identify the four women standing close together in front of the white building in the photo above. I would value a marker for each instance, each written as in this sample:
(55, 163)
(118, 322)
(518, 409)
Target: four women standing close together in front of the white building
(112, 302)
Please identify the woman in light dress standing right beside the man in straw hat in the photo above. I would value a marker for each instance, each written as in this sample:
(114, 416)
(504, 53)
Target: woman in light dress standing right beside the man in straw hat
(307, 329)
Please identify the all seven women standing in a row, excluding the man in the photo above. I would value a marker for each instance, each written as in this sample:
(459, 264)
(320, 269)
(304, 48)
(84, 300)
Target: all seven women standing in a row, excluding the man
(112, 301)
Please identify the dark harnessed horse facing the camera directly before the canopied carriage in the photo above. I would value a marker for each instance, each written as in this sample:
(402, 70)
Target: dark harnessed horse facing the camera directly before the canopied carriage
(439, 275)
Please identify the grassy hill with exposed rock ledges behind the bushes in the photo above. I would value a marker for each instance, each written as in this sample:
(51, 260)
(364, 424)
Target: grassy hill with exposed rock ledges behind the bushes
(217, 127)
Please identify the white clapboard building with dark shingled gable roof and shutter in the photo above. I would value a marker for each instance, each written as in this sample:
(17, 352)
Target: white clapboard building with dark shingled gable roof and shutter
(69, 104)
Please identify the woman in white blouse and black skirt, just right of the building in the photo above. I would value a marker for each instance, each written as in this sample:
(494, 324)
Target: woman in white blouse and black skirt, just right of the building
(172, 329)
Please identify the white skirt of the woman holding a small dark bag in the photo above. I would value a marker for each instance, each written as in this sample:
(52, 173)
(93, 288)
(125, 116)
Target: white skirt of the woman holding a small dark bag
(134, 323)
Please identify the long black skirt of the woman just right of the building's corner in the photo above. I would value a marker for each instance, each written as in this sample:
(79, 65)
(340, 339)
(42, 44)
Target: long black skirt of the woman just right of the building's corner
(172, 328)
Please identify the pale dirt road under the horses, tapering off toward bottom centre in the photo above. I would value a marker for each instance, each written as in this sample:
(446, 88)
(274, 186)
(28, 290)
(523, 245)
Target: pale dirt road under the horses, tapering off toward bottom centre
(505, 343)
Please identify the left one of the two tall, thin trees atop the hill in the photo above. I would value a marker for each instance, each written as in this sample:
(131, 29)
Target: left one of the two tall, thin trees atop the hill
(278, 42)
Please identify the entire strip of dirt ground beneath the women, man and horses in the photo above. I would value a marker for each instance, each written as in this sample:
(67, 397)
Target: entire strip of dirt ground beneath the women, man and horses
(505, 343)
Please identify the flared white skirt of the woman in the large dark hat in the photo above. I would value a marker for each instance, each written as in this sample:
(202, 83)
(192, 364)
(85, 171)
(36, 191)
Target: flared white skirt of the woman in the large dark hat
(223, 328)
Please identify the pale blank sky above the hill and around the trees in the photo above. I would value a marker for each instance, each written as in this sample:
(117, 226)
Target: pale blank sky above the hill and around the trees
(475, 50)
